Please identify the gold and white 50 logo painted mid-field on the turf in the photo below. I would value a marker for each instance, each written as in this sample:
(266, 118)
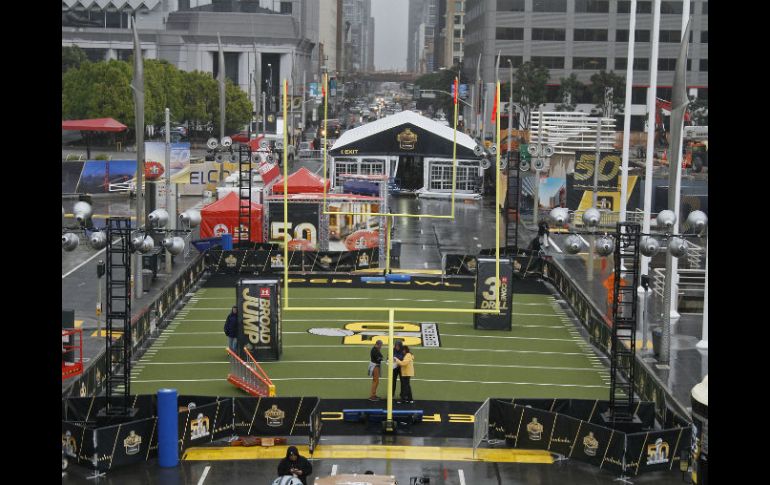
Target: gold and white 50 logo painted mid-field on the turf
(367, 333)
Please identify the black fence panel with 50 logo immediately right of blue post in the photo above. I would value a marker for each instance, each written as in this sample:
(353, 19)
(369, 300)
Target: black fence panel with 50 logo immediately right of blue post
(205, 423)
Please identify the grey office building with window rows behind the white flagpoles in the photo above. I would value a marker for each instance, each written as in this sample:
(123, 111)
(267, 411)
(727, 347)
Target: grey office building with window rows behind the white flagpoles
(583, 37)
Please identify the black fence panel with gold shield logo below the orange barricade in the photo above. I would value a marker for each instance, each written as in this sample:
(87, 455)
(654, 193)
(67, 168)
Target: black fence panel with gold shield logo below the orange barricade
(277, 416)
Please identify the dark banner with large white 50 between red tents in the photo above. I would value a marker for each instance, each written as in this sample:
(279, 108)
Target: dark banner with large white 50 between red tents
(304, 222)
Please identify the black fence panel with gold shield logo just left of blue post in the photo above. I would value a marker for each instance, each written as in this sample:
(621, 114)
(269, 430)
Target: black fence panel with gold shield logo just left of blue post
(126, 443)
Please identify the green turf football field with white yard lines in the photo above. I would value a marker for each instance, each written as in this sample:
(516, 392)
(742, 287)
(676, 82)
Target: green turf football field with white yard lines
(542, 357)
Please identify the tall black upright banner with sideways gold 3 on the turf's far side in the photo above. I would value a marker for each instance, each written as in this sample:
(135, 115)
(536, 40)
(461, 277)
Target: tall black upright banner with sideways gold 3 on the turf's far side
(486, 295)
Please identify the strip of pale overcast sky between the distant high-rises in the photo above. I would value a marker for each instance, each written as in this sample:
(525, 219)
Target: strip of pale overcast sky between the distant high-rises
(391, 18)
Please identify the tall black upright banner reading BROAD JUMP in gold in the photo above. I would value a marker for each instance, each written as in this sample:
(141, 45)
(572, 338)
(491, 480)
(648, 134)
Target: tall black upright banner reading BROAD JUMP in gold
(259, 316)
